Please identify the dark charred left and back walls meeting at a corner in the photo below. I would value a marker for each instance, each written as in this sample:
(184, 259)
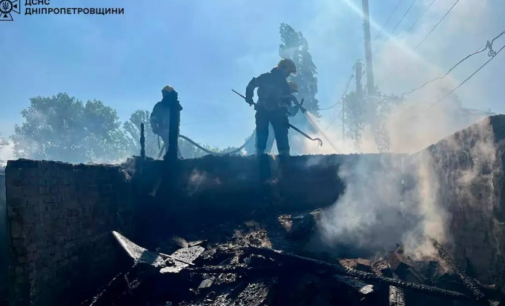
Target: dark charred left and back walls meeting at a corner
(60, 216)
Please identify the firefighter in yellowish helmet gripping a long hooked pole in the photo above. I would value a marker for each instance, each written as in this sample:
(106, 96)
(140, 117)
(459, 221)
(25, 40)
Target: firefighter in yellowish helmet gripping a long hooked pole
(272, 92)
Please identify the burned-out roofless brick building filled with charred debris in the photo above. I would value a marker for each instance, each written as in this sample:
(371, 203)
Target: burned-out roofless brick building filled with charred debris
(206, 232)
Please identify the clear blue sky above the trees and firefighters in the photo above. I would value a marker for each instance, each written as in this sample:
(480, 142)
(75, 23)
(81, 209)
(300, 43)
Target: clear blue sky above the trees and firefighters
(206, 48)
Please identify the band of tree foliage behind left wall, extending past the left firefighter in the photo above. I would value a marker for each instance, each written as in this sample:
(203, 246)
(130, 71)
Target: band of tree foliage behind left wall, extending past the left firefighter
(65, 129)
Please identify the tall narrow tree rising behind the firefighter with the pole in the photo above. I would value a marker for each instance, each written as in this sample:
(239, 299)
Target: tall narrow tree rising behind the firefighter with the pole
(295, 47)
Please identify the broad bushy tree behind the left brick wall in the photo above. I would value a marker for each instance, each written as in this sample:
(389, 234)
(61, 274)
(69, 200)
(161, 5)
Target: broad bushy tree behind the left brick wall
(66, 129)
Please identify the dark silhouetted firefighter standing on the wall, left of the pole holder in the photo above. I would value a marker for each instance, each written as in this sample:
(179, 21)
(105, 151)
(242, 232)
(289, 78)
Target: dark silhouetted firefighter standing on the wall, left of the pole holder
(165, 122)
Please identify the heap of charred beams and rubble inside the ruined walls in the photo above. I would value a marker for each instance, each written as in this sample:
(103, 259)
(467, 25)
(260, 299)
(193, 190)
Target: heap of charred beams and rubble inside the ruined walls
(246, 269)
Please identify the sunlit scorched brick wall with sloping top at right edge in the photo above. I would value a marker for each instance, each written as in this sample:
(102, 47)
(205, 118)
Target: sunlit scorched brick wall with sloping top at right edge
(470, 170)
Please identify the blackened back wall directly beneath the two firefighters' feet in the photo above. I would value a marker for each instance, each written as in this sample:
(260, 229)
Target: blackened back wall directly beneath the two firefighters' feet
(223, 188)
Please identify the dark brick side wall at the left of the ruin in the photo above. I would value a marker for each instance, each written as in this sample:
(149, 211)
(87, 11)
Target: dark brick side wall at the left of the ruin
(60, 218)
